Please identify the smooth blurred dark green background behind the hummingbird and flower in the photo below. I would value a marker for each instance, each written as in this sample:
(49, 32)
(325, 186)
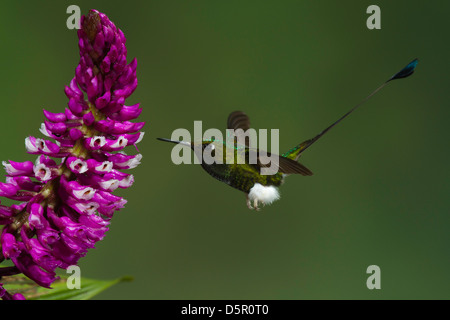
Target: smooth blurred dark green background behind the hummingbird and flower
(380, 192)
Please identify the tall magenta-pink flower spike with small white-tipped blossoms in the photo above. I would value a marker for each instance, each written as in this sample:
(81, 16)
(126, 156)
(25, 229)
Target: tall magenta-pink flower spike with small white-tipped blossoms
(66, 205)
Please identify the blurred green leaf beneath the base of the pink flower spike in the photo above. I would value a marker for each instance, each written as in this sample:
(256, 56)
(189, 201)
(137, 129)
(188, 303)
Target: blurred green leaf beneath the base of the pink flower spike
(59, 291)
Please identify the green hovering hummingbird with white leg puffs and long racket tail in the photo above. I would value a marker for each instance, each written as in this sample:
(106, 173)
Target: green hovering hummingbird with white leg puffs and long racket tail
(245, 175)
